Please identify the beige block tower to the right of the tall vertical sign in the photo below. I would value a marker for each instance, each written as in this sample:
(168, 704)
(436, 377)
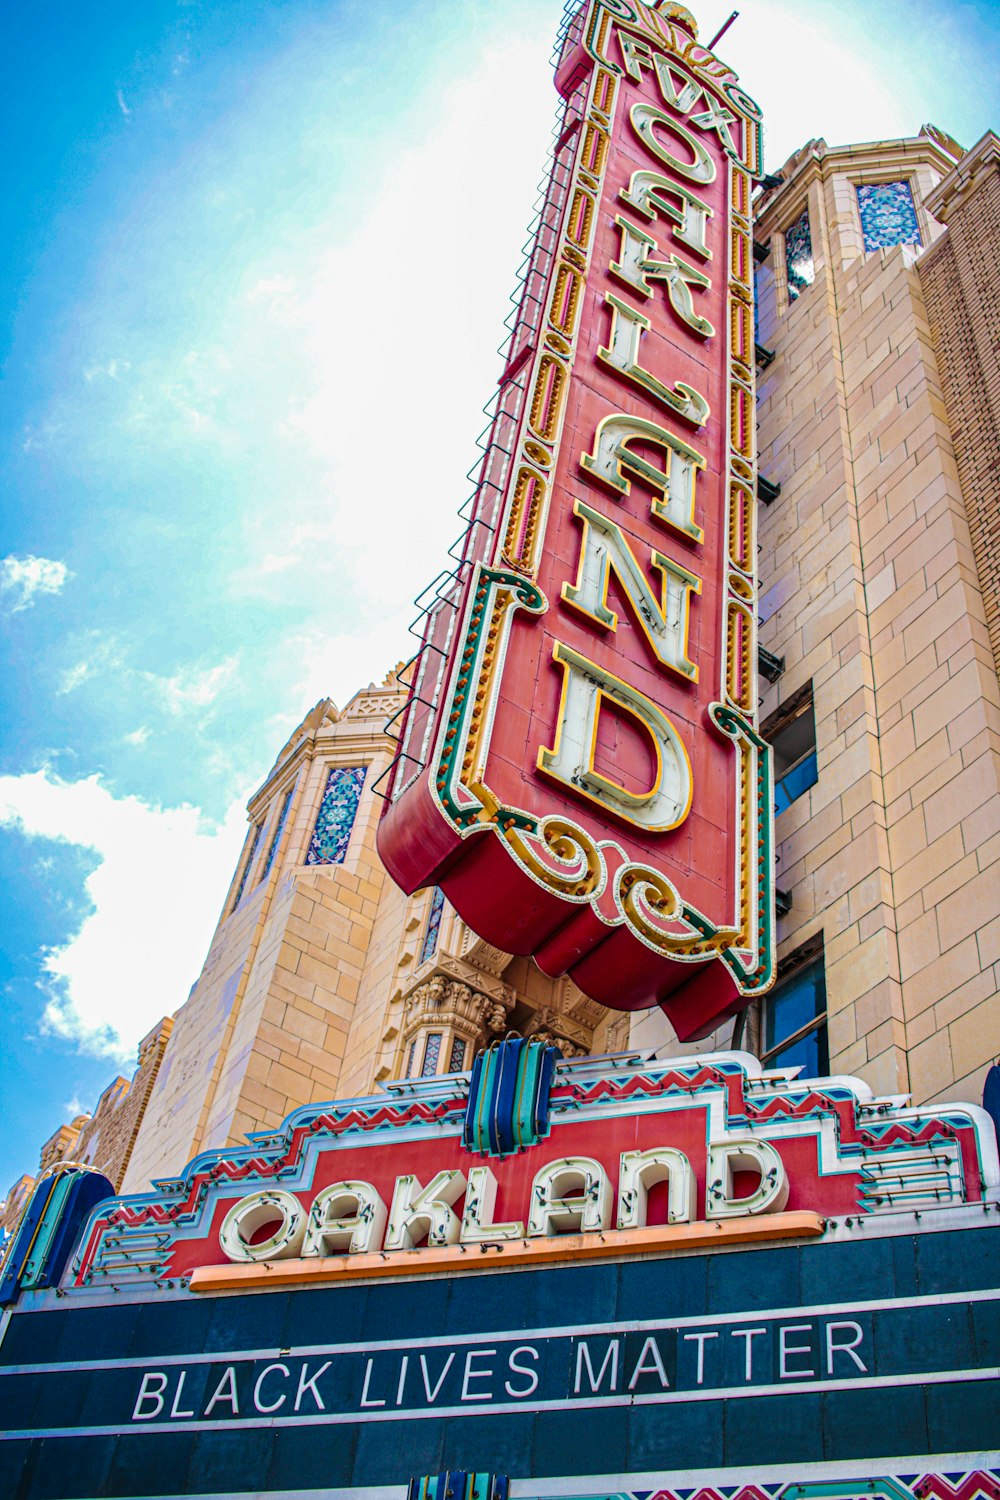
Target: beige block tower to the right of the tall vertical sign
(872, 593)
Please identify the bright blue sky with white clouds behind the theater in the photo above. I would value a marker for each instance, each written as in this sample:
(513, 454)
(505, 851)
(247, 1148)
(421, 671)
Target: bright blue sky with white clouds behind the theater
(257, 260)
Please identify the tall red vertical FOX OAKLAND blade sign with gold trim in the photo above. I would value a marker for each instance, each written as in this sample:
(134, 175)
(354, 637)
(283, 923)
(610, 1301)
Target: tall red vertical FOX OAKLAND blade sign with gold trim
(579, 763)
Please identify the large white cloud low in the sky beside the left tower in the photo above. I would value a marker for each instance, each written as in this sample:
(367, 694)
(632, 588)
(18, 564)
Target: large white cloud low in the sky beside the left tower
(155, 901)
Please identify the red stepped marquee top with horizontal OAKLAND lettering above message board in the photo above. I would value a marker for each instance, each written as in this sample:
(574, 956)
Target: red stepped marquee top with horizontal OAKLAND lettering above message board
(621, 1157)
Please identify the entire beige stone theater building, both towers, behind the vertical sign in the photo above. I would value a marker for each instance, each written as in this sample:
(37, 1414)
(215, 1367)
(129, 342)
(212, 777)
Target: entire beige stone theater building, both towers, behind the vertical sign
(879, 542)
